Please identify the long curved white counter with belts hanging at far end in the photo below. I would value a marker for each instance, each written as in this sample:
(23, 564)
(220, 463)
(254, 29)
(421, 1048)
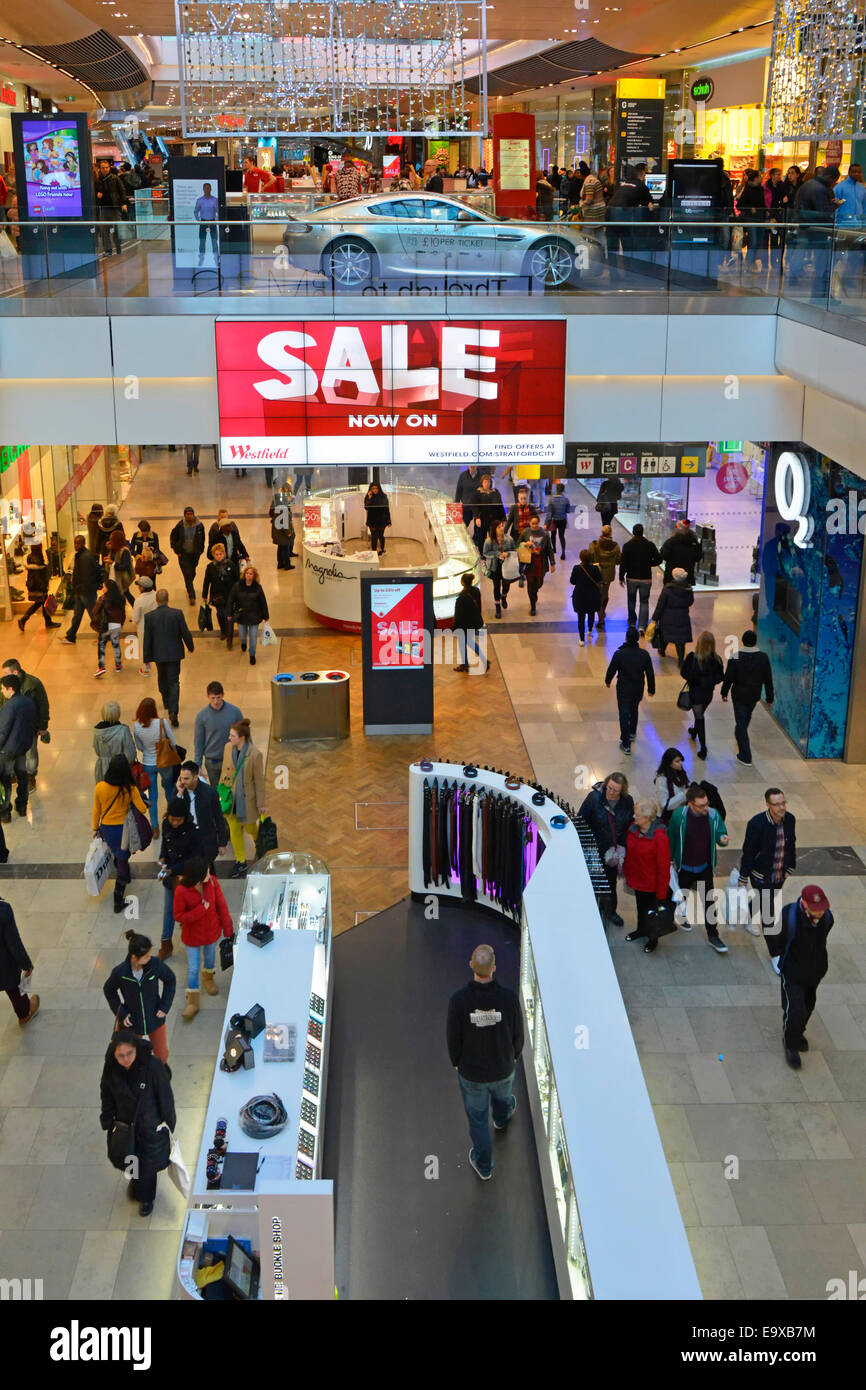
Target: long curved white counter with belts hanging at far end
(616, 1231)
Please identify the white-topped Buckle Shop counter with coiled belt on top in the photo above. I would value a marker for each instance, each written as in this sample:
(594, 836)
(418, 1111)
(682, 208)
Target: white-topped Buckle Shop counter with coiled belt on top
(259, 1207)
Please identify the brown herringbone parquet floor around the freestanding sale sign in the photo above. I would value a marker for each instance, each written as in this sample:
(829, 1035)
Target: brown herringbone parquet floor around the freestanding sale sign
(473, 719)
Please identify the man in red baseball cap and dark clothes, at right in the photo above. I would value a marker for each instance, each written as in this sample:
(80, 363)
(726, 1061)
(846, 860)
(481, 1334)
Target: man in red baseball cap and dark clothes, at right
(801, 958)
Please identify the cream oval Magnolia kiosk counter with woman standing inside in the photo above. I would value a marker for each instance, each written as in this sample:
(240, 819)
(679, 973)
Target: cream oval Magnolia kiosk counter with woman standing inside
(332, 578)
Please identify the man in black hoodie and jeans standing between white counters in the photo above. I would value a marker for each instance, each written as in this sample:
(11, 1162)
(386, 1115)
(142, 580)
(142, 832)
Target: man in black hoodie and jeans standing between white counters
(484, 1042)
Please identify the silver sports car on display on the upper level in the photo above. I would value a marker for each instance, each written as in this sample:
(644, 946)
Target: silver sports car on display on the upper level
(425, 236)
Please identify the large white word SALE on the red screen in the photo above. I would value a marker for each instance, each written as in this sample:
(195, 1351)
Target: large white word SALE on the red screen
(350, 375)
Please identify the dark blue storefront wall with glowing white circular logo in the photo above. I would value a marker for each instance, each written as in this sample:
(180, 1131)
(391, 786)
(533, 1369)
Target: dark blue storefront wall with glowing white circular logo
(808, 610)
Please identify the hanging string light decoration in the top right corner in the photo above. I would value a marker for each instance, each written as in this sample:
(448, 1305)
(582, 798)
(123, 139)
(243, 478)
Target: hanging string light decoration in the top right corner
(818, 70)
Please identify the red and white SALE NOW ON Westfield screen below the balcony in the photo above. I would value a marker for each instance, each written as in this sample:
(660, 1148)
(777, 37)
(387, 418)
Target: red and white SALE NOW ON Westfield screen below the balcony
(404, 391)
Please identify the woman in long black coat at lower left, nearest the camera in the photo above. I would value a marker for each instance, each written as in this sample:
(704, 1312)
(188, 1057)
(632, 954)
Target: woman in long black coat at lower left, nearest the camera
(138, 1114)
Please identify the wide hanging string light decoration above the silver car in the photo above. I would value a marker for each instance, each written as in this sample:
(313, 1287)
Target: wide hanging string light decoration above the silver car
(332, 67)
